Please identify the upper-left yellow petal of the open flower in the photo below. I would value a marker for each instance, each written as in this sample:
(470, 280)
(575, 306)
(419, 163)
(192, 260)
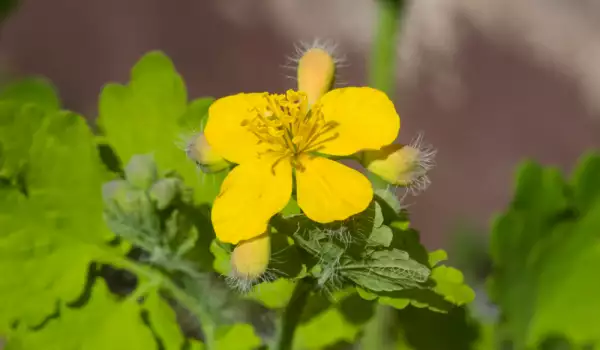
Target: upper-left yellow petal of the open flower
(224, 131)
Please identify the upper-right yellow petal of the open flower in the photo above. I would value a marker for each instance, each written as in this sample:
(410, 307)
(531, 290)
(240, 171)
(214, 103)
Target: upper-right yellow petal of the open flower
(366, 119)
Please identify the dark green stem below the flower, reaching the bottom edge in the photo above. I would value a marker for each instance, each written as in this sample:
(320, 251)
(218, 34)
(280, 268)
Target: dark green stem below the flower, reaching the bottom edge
(292, 313)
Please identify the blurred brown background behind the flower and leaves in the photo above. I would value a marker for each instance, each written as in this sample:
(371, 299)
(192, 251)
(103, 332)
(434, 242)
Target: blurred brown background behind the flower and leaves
(489, 82)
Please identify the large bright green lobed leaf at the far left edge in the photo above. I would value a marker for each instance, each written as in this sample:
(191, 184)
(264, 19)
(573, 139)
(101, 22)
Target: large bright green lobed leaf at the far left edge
(52, 226)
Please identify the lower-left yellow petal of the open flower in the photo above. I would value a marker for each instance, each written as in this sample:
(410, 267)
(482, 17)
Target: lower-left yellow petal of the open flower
(250, 195)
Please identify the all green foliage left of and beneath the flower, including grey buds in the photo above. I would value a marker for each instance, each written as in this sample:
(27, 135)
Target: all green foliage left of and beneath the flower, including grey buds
(80, 212)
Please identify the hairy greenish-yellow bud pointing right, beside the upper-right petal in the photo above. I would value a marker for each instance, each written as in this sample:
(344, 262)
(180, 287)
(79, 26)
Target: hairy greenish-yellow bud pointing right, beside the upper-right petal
(402, 165)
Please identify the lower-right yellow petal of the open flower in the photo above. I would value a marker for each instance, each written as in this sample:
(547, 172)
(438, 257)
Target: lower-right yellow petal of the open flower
(330, 191)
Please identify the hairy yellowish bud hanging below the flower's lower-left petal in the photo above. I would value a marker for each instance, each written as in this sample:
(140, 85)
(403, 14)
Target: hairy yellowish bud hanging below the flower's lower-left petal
(250, 259)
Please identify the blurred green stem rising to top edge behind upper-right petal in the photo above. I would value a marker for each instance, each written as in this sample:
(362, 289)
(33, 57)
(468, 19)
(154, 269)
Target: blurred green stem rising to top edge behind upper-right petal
(382, 69)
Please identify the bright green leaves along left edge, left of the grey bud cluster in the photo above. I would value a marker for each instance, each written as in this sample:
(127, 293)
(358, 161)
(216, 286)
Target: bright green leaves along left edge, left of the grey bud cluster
(53, 235)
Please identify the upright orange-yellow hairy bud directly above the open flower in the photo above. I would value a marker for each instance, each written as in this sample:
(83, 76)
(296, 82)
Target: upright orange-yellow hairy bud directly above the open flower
(316, 73)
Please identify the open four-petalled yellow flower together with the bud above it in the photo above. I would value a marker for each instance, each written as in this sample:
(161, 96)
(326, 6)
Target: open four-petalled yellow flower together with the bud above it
(278, 138)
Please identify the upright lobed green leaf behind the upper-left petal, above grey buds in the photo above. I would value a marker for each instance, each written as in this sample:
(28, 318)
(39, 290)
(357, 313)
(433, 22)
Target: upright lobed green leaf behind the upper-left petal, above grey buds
(150, 115)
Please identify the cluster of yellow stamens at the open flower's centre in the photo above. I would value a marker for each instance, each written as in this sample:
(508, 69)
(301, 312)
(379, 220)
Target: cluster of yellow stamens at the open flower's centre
(286, 124)
